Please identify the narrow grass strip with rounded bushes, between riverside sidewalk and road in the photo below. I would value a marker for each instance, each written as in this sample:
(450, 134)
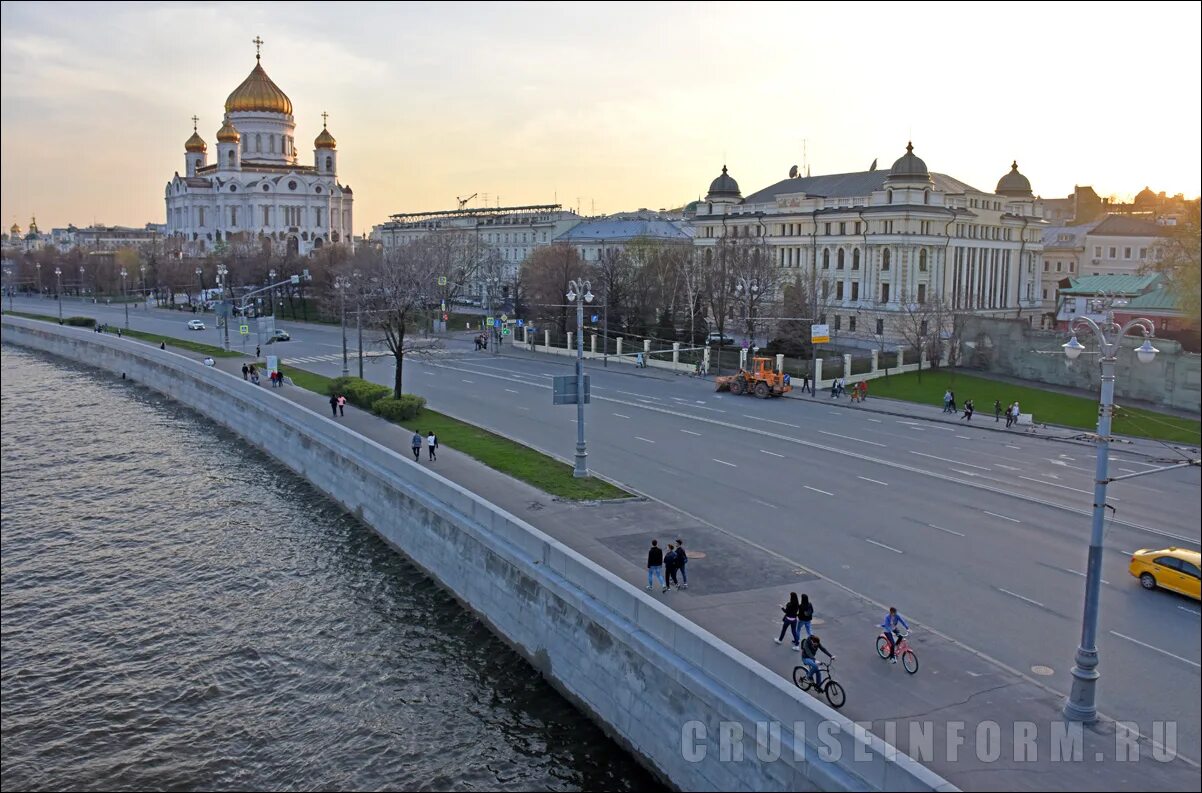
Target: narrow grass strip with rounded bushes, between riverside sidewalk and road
(495, 451)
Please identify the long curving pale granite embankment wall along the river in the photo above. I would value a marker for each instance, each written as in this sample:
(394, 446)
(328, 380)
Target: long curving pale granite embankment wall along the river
(660, 687)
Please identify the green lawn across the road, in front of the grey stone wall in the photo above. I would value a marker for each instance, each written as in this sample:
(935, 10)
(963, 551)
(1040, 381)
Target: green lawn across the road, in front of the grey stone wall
(1049, 408)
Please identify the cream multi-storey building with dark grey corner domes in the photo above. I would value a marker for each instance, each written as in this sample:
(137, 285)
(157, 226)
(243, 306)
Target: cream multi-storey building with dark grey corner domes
(874, 242)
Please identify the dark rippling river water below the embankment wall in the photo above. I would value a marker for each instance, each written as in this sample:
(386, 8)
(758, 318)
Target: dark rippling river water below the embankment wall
(181, 612)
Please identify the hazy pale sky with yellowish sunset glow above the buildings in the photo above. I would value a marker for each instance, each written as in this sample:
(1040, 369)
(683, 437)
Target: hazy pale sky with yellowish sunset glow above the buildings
(616, 105)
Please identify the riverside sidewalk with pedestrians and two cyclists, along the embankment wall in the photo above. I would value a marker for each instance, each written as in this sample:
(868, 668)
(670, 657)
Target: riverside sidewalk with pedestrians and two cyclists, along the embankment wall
(736, 591)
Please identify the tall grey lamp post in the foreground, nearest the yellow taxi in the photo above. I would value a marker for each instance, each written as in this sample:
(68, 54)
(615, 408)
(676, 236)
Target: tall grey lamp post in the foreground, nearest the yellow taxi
(1081, 705)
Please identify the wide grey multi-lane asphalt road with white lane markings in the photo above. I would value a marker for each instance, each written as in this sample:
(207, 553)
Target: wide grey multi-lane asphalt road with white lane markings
(979, 535)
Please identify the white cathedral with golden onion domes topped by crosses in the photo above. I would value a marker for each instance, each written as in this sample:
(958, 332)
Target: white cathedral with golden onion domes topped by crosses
(255, 193)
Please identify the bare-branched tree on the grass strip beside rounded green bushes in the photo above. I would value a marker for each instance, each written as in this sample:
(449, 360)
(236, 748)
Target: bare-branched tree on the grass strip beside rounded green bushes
(396, 289)
